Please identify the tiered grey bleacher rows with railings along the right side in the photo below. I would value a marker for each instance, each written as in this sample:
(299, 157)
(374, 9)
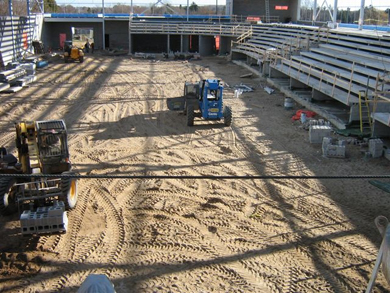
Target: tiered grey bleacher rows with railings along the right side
(338, 64)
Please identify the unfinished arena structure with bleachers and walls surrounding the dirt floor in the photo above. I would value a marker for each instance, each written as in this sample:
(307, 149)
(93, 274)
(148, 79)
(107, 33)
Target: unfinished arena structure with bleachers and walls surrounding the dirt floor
(340, 73)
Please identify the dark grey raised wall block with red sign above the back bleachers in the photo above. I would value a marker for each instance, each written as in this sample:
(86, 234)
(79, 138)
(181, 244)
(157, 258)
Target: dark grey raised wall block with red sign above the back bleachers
(256, 7)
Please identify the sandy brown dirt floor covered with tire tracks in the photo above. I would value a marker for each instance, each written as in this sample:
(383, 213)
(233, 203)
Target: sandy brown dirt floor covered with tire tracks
(191, 235)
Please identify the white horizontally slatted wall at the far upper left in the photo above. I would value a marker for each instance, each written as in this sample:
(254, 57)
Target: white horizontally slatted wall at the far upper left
(16, 36)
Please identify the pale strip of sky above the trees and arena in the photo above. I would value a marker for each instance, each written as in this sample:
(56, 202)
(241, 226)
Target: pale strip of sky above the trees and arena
(380, 4)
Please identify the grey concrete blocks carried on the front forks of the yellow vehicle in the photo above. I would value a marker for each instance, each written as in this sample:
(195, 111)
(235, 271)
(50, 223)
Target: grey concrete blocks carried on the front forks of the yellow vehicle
(48, 219)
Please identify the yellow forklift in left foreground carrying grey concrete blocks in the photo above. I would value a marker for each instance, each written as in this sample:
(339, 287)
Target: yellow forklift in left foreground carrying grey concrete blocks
(42, 198)
